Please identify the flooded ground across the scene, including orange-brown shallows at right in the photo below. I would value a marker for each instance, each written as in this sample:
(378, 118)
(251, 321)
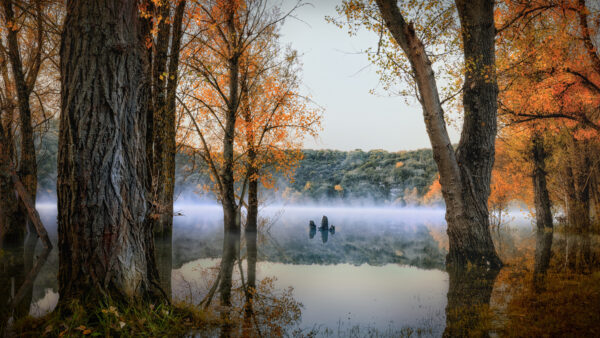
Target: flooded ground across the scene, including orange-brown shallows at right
(381, 272)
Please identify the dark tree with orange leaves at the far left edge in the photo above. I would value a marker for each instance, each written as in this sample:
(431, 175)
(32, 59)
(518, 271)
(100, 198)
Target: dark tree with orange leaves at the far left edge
(27, 32)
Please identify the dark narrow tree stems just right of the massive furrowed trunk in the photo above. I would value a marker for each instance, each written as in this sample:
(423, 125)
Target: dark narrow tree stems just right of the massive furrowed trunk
(164, 32)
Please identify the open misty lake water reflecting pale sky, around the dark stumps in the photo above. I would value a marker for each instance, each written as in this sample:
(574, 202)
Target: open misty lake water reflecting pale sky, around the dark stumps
(381, 270)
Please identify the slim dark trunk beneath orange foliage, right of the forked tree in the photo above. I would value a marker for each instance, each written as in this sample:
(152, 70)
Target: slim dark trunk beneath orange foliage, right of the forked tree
(543, 214)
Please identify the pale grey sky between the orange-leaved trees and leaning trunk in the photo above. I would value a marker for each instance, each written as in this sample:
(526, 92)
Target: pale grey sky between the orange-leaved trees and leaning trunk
(338, 78)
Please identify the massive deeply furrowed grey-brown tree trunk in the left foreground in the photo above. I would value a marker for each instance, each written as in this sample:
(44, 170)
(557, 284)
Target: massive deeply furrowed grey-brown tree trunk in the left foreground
(105, 242)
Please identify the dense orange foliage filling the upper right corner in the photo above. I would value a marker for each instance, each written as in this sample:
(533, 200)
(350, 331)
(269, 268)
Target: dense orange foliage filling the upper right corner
(544, 66)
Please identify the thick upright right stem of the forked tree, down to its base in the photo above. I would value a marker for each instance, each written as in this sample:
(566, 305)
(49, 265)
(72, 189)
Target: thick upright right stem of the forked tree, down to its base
(476, 148)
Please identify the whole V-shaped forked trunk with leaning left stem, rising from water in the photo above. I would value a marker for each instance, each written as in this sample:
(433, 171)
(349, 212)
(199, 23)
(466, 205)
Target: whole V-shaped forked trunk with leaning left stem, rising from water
(464, 175)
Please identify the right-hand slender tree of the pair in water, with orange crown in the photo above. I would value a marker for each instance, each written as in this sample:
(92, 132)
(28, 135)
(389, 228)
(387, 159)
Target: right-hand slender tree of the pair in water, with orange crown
(275, 120)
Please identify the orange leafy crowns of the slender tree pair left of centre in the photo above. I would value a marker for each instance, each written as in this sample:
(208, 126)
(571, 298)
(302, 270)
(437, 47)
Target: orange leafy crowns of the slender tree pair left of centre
(238, 75)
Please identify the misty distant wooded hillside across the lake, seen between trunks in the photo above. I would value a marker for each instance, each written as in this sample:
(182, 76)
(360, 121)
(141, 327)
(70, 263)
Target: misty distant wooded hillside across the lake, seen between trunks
(362, 177)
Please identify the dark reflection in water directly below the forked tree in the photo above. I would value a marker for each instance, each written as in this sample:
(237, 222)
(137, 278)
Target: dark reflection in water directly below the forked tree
(469, 294)
